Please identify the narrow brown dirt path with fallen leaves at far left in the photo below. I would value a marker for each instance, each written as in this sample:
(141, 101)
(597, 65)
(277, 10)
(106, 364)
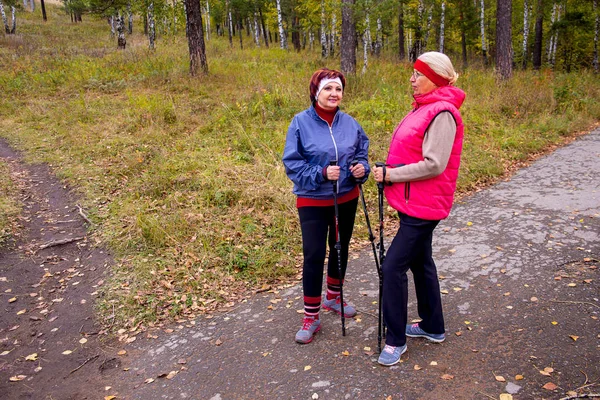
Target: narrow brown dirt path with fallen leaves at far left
(48, 294)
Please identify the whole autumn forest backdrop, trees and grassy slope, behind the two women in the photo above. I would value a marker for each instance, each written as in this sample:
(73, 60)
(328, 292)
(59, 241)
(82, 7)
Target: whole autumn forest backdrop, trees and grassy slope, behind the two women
(181, 175)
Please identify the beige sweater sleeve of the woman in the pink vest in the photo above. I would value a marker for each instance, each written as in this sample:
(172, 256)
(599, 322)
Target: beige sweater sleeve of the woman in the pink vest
(437, 147)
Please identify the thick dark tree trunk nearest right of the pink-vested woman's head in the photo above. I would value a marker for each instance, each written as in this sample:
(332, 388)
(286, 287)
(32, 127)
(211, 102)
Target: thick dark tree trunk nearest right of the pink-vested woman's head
(504, 39)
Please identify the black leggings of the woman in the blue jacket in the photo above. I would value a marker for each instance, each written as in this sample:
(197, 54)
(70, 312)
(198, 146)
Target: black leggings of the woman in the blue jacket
(316, 223)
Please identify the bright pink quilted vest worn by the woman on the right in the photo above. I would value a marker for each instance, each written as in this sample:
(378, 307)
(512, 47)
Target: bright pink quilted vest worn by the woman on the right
(429, 199)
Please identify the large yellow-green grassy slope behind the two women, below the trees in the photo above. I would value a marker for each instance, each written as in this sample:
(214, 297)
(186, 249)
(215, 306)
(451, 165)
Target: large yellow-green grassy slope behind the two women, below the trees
(183, 176)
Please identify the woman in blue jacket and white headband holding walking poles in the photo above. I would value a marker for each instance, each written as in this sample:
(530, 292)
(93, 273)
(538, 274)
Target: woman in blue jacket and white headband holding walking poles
(318, 135)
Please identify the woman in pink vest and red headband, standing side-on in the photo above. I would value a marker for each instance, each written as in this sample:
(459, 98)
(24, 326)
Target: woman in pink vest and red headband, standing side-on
(420, 177)
